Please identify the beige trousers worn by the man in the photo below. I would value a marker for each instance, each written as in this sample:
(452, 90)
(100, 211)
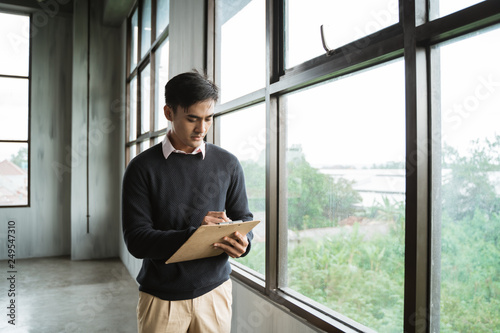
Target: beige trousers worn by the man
(210, 312)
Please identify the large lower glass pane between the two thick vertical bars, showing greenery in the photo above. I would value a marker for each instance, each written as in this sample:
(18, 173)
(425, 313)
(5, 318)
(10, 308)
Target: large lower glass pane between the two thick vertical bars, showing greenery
(345, 171)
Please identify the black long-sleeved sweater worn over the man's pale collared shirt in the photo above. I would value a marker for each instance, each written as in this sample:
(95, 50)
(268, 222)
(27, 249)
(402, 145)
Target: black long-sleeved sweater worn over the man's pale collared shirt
(164, 201)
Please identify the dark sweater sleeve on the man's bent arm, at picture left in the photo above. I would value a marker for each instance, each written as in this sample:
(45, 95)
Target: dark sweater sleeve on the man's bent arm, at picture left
(141, 238)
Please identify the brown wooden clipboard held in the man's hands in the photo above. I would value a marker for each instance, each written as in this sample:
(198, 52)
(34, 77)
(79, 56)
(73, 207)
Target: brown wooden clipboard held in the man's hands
(200, 244)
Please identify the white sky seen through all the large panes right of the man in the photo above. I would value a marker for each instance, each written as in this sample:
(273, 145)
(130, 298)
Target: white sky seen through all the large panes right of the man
(358, 120)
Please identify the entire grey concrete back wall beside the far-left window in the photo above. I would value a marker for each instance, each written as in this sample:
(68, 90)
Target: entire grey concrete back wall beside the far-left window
(56, 222)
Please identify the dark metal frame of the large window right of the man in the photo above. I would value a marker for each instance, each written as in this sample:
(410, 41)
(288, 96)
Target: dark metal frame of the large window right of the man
(411, 38)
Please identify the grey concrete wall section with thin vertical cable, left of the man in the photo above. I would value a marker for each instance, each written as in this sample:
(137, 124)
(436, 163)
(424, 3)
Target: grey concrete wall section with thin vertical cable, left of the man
(97, 136)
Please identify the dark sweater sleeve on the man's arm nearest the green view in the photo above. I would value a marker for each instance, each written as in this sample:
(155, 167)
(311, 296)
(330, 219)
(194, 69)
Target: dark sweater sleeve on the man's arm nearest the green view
(236, 199)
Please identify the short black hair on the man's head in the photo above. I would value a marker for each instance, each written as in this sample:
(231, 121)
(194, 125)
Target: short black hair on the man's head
(189, 88)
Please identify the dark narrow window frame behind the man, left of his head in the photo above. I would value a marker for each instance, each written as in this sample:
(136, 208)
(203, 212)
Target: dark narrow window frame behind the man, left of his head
(149, 59)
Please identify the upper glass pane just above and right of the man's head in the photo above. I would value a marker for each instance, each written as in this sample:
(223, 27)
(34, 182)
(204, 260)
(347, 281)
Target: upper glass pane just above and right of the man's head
(243, 41)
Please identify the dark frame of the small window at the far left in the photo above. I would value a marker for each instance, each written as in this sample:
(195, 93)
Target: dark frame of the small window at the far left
(28, 141)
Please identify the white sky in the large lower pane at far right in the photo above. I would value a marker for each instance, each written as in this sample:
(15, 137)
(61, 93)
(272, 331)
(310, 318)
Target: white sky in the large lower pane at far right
(470, 89)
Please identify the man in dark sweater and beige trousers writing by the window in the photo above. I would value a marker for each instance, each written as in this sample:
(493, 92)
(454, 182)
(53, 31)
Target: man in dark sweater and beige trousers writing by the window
(170, 190)
